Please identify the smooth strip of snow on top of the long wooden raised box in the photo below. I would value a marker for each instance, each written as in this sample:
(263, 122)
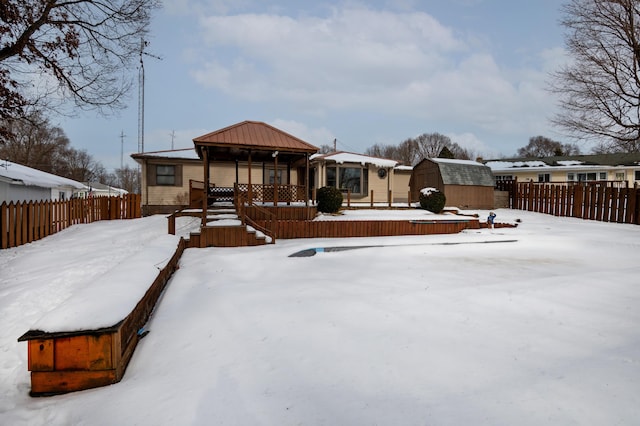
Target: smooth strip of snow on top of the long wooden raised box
(113, 296)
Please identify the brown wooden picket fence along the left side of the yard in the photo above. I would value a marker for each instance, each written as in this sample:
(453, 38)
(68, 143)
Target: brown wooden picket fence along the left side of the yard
(24, 222)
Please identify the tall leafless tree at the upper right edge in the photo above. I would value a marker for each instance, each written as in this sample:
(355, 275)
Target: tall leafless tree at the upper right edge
(600, 90)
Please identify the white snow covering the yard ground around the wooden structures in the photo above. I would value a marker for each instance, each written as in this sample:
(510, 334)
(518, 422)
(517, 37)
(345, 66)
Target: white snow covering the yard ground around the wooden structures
(466, 329)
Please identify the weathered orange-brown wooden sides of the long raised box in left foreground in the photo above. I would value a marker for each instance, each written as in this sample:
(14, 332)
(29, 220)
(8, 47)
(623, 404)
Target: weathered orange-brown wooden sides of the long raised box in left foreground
(72, 361)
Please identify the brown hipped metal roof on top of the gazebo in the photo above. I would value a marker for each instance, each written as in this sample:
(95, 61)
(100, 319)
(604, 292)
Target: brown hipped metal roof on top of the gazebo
(255, 135)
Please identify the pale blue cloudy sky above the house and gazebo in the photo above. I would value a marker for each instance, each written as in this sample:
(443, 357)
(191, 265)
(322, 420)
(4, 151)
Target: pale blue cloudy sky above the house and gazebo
(362, 72)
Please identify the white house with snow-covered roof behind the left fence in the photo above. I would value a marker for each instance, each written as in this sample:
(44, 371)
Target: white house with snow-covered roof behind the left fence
(21, 183)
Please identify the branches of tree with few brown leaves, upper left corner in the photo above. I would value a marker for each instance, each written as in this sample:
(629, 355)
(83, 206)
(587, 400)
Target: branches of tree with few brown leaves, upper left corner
(68, 50)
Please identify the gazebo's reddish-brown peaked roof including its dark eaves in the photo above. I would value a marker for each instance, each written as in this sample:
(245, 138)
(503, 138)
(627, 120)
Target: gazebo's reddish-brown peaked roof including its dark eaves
(236, 140)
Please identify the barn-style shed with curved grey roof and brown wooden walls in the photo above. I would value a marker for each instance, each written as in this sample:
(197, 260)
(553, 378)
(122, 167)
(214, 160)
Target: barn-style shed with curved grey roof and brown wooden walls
(466, 184)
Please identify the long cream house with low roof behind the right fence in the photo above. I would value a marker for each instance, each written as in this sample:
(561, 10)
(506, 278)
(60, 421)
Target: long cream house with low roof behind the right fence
(622, 168)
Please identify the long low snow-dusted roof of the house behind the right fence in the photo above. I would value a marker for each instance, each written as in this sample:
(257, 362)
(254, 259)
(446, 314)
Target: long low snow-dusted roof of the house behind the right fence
(620, 159)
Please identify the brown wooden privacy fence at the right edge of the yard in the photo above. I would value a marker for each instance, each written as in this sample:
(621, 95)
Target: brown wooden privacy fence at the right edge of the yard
(604, 201)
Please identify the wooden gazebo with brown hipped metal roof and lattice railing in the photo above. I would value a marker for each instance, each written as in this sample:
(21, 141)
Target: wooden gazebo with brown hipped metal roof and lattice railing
(257, 142)
